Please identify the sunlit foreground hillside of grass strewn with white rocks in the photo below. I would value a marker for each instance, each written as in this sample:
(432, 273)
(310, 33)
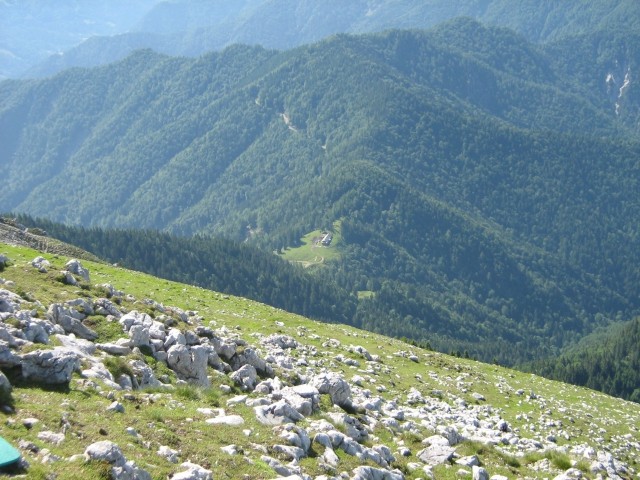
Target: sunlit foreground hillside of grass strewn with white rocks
(109, 373)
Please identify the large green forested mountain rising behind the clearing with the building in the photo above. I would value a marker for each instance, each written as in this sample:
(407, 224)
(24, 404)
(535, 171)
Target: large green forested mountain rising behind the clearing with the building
(486, 193)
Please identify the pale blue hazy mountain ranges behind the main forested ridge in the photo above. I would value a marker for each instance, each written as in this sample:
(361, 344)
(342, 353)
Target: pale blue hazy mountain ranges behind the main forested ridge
(186, 27)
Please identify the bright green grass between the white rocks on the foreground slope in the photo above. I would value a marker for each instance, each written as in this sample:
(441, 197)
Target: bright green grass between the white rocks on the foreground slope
(172, 419)
